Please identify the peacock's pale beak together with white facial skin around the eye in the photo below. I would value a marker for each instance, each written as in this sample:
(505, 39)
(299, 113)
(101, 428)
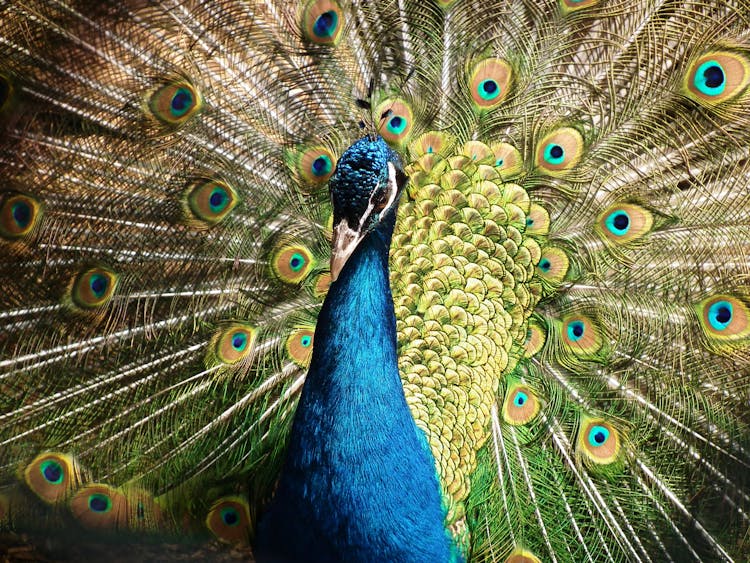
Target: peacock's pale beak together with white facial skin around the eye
(346, 237)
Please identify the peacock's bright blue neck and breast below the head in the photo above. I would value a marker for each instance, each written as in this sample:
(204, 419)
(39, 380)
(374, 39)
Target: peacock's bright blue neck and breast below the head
(359, 482)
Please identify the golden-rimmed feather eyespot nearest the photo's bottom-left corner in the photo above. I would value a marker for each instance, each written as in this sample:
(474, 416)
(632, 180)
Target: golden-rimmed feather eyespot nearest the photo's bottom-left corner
(52, 476)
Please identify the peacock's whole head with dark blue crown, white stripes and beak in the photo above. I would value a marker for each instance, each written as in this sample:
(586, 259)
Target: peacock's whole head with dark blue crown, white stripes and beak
(365, 189)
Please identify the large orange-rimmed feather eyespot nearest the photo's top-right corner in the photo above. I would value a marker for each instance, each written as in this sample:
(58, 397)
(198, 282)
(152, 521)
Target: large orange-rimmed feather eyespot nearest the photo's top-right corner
(716, 77)
